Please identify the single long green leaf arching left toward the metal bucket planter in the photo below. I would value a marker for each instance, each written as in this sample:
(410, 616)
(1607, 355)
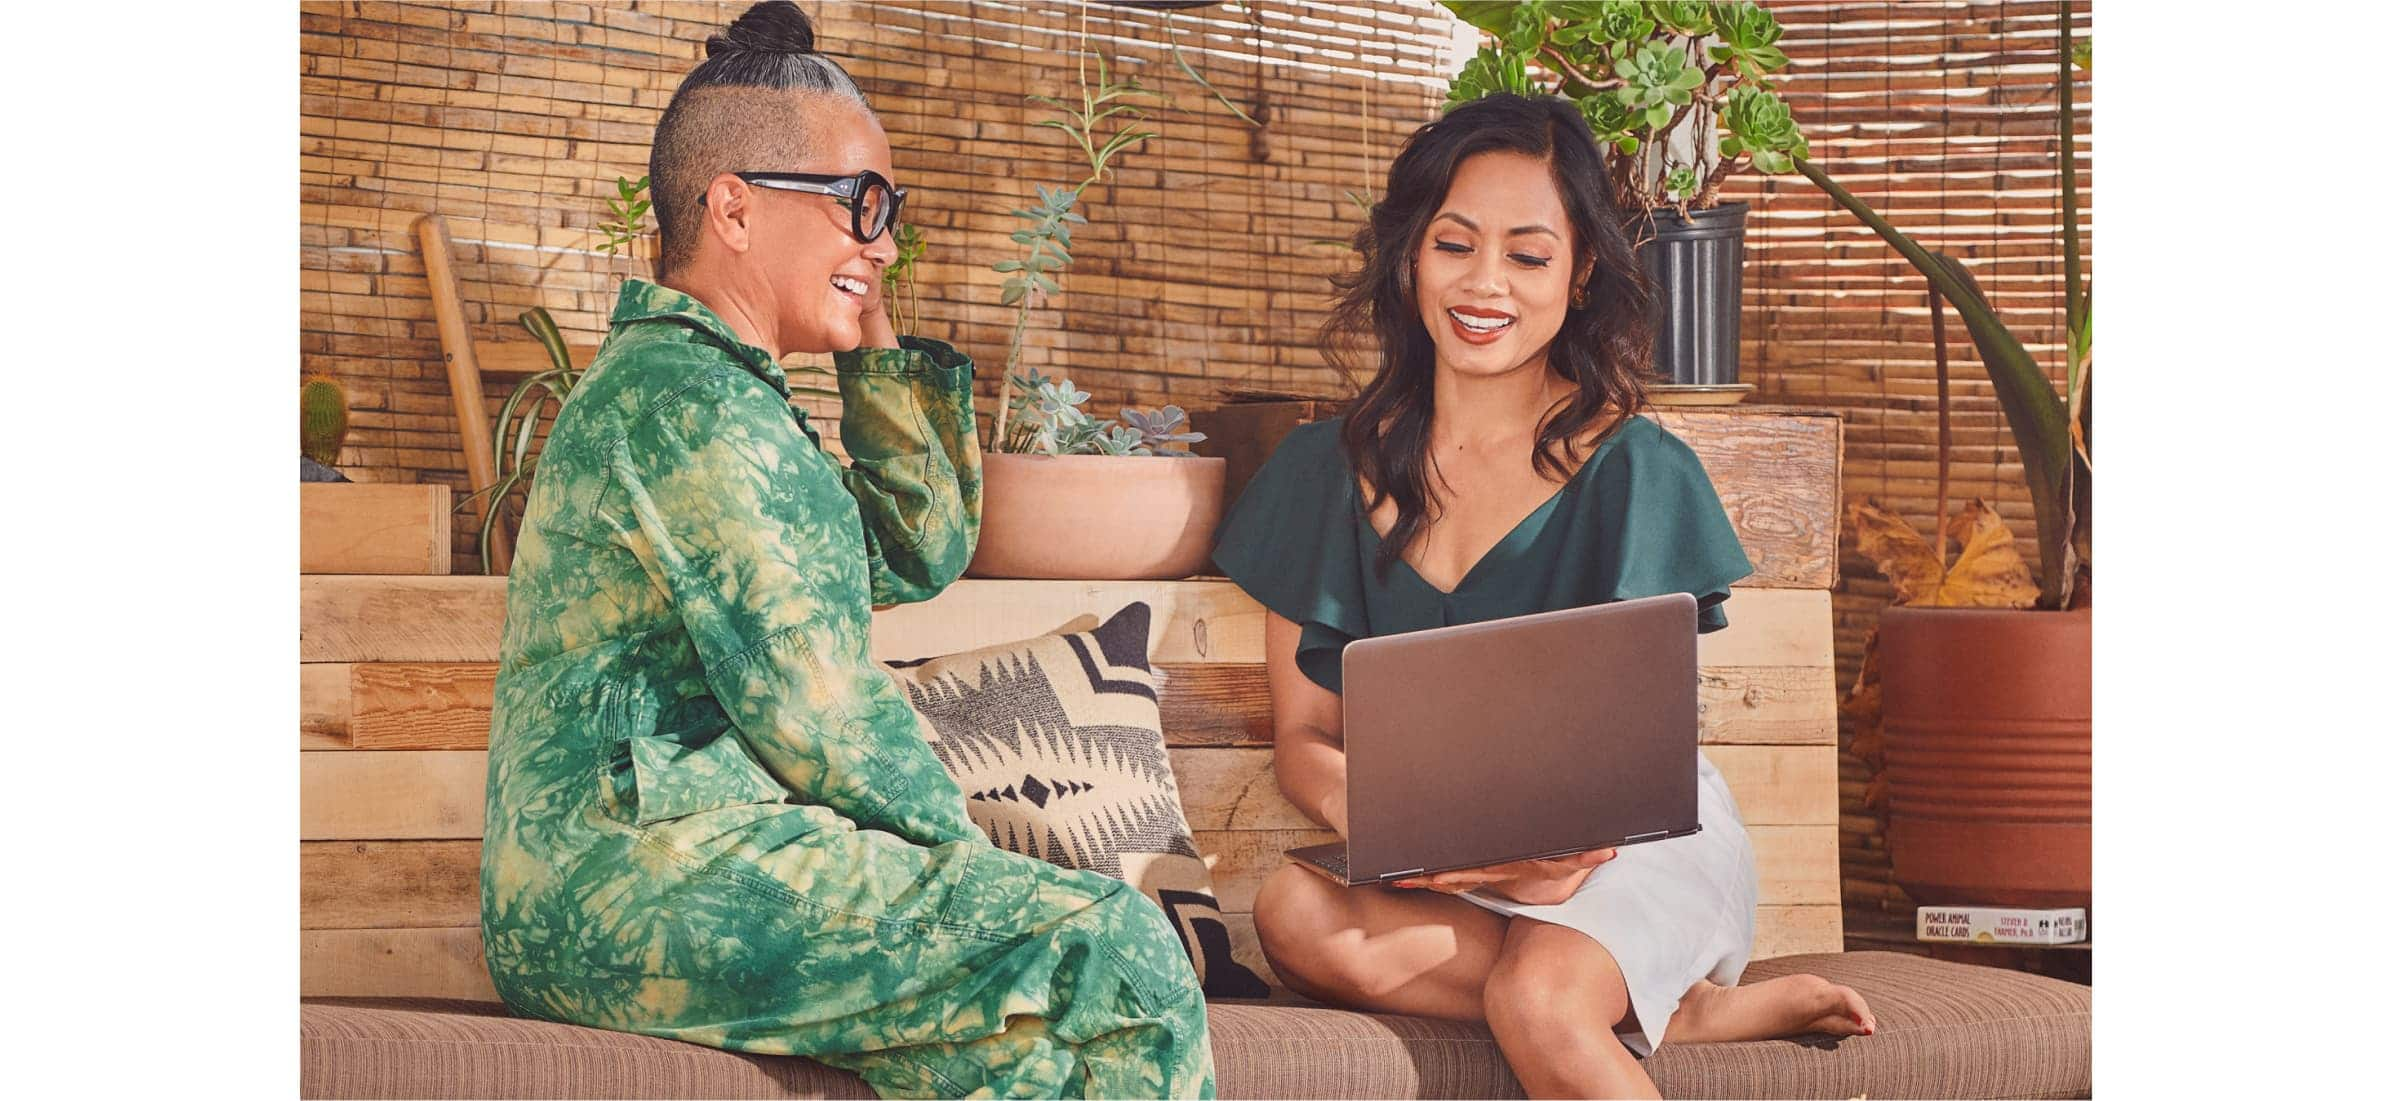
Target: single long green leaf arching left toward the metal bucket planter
(2037, 418)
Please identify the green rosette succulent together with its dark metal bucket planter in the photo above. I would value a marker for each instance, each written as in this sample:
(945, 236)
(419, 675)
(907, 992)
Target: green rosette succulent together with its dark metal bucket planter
(1683, 97)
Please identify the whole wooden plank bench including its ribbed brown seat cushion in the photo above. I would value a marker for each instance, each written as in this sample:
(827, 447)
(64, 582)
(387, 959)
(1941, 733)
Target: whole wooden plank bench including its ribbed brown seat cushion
(396, 710)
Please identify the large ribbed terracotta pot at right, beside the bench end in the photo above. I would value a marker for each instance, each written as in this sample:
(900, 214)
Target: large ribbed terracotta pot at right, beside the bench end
(1989, 755)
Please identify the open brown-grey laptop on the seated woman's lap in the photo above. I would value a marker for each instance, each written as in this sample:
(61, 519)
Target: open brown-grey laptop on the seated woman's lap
(1539, 736)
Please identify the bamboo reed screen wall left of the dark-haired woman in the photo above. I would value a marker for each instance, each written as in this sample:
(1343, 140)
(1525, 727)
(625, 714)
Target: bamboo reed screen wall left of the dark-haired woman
(513, 121)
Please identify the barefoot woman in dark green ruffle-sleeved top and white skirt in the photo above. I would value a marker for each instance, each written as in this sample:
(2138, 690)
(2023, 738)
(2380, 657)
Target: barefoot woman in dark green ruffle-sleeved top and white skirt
(1494, 468)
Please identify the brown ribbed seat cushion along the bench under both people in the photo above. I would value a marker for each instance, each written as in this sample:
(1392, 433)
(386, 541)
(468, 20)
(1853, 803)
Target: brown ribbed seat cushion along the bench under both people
(1946, 1030)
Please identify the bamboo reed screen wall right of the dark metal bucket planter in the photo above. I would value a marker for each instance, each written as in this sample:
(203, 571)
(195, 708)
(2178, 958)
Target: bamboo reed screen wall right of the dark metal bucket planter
(1946, 118)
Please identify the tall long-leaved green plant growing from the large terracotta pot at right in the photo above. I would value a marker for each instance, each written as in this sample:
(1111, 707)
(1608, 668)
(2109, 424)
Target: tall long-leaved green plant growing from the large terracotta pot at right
(2049, 427)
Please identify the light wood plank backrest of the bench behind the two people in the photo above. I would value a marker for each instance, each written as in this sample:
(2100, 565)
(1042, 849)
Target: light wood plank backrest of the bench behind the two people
(393, 755)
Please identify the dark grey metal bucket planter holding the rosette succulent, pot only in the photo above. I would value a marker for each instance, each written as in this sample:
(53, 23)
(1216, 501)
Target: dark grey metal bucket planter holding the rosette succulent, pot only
(1697, 272)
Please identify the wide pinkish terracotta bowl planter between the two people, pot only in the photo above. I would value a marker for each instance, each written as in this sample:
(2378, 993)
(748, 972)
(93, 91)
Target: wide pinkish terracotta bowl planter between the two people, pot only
(1097, 518)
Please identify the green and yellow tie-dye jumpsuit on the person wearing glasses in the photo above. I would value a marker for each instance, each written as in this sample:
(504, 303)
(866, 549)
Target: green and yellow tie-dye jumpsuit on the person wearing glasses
(714, 817)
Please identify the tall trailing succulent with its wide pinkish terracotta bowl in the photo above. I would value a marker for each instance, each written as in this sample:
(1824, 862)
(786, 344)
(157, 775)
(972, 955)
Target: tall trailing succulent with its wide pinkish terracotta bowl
(1066, 497)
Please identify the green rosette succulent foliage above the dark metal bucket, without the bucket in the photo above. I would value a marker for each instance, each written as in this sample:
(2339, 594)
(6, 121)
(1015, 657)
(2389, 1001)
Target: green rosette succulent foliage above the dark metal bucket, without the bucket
(1640, 71)
